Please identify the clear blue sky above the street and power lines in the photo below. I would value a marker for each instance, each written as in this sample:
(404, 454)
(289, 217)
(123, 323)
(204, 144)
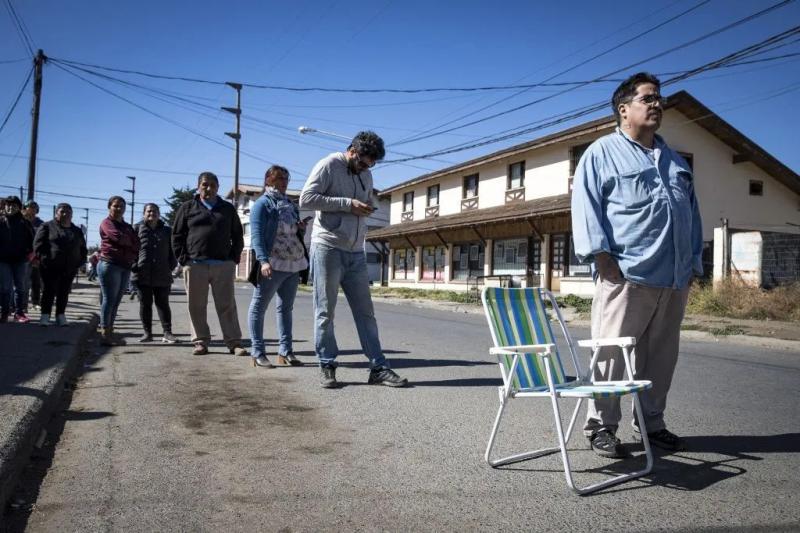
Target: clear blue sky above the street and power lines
(352, 44)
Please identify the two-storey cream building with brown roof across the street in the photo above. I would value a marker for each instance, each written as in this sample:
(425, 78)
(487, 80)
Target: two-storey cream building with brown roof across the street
(505, 217)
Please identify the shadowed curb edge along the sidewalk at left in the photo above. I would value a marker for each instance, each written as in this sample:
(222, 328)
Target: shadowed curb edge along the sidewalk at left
(31, 422)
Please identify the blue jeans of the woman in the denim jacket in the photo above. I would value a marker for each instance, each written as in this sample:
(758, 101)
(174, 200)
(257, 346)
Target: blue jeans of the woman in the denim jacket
(284, 284)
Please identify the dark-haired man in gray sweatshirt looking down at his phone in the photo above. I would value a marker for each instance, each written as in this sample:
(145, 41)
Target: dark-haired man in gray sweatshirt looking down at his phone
(340, 190)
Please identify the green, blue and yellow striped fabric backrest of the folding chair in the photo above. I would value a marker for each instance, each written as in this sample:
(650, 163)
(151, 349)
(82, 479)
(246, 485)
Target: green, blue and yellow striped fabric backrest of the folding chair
(518, 317)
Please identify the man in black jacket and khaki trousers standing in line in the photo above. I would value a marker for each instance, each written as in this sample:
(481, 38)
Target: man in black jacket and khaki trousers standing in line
(208, 240)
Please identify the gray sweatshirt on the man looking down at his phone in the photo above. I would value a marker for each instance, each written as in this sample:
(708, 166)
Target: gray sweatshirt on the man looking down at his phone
(329, 190)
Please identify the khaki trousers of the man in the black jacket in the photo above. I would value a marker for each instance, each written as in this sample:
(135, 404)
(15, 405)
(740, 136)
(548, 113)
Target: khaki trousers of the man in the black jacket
(197, 278)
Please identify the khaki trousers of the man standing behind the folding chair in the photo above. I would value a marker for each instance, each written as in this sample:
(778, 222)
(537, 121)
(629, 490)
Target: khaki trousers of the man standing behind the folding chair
(653, 316)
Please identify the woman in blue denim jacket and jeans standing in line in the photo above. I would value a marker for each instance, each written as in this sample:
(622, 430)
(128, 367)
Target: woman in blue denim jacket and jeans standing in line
(276, 236)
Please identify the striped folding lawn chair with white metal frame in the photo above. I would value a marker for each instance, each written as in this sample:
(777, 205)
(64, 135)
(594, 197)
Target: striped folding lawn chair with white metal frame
(532, 368)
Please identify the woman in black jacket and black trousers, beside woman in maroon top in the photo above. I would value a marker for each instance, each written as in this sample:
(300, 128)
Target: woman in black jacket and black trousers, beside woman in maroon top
(152, 273)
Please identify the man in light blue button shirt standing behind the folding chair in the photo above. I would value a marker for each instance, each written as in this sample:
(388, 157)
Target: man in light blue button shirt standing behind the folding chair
(635, 218)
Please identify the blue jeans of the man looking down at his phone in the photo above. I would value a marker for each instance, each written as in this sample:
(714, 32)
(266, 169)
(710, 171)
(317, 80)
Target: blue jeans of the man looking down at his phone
(331, 268)
